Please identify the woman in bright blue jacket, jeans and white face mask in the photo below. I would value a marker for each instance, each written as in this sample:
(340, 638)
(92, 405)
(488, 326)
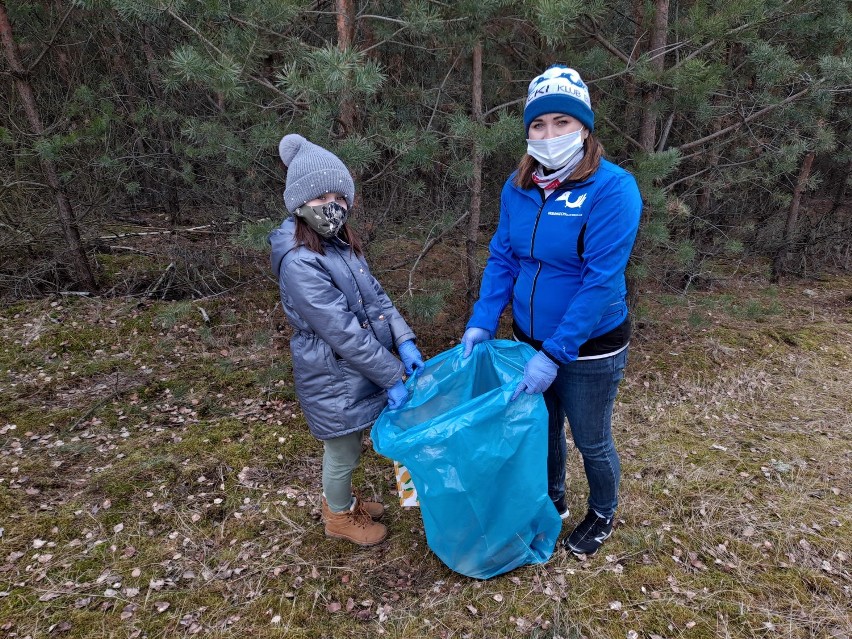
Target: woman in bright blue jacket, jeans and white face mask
(568, 220)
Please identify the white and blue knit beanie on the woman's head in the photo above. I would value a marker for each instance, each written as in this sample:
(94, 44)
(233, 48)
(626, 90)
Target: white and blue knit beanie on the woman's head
(559, 90)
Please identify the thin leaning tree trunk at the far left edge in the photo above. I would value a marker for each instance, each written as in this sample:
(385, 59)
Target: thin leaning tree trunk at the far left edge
(67, 220)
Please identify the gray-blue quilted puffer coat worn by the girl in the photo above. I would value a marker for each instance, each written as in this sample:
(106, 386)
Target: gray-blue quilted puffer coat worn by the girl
(345, 327)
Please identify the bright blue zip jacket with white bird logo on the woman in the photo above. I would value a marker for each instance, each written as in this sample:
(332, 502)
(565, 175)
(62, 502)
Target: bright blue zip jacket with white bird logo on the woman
(561, 261)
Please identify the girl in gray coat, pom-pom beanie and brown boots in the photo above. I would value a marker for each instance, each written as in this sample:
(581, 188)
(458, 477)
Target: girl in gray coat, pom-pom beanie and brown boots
(345, 329)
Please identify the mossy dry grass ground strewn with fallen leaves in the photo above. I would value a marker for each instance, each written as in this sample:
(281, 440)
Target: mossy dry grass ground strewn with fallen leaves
(156, 480)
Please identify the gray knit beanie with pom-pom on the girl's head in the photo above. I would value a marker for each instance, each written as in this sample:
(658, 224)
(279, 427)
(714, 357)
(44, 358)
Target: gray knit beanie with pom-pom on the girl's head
(311, 172)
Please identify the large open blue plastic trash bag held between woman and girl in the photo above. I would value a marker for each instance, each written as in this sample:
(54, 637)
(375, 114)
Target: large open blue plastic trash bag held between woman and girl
(478, 460)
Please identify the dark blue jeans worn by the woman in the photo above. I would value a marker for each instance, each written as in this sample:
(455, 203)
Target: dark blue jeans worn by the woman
(584, 391)
